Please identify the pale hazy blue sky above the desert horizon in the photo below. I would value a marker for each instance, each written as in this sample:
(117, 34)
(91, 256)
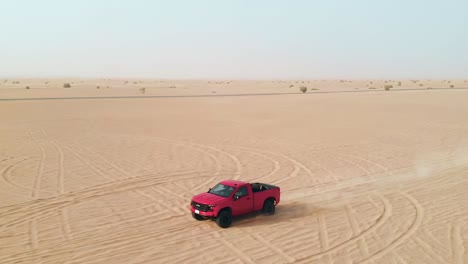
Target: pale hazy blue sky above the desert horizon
(234, 39)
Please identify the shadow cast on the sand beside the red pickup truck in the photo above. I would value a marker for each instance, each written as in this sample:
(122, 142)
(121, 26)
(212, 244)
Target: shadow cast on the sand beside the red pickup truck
(285, 212)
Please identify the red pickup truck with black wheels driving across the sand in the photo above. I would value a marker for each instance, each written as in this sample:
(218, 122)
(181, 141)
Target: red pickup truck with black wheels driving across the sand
(232, 198)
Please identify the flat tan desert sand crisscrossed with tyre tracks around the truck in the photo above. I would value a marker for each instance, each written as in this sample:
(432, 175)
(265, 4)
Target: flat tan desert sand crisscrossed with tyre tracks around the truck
(366, 177)
